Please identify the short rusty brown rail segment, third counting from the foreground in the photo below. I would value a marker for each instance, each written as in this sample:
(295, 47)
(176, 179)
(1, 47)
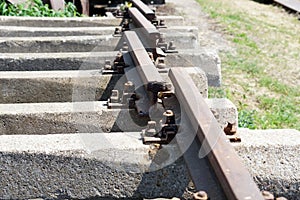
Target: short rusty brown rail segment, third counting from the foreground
(143, 25)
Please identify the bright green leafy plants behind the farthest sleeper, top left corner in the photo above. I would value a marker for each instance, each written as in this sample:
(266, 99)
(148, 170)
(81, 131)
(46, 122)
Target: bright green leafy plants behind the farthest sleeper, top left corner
(36, 8)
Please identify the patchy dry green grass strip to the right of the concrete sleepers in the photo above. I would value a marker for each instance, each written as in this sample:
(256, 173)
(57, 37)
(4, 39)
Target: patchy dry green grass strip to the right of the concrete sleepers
(261, 77)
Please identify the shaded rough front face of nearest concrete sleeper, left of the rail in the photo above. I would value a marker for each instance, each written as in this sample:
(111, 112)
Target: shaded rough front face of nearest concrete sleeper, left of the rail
(46, 176)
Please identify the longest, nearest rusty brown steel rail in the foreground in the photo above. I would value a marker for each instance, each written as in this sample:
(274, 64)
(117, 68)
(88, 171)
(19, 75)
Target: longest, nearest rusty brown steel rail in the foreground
(232, 175)
